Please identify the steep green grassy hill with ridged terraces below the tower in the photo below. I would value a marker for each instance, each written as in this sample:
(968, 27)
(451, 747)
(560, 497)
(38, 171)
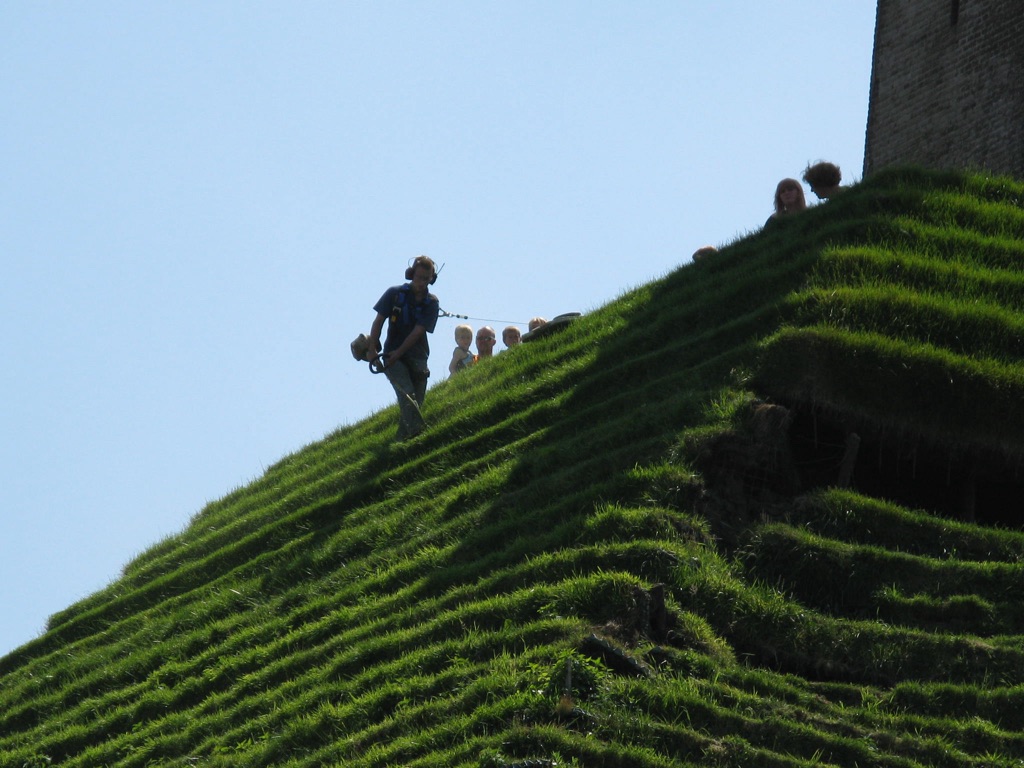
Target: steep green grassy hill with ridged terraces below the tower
(765, 511)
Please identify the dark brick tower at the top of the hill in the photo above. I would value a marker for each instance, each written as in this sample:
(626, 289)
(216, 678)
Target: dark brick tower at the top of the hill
(948, 87)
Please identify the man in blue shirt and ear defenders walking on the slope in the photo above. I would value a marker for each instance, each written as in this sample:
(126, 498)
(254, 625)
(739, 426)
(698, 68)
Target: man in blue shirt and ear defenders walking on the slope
(411, 313)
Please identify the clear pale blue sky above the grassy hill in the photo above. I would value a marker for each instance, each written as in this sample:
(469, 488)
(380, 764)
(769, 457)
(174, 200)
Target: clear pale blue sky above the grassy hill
(202, 201)
